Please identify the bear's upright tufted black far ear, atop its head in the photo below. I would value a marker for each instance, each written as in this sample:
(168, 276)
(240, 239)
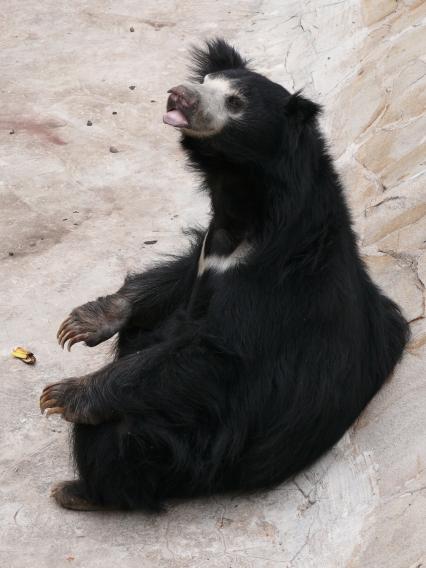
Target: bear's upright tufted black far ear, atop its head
(216, 56)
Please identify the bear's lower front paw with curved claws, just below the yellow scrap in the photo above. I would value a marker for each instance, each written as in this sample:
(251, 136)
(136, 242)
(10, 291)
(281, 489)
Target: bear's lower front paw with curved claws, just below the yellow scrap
(71, 398)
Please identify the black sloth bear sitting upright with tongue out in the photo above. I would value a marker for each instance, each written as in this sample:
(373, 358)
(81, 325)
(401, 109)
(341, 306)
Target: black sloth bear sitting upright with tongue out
(244, 359)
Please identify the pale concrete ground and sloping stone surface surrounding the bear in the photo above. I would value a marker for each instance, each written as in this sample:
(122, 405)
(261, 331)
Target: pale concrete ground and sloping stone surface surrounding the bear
(74, 217)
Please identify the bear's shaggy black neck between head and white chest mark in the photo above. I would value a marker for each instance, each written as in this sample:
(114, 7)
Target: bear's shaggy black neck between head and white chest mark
(281, 200)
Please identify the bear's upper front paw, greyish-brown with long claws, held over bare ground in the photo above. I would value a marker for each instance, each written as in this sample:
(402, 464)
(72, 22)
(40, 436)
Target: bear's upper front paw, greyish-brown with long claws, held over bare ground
(94, 322)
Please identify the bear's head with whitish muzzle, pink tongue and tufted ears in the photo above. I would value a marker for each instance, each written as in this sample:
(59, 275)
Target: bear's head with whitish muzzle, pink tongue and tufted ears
(234, 109)
